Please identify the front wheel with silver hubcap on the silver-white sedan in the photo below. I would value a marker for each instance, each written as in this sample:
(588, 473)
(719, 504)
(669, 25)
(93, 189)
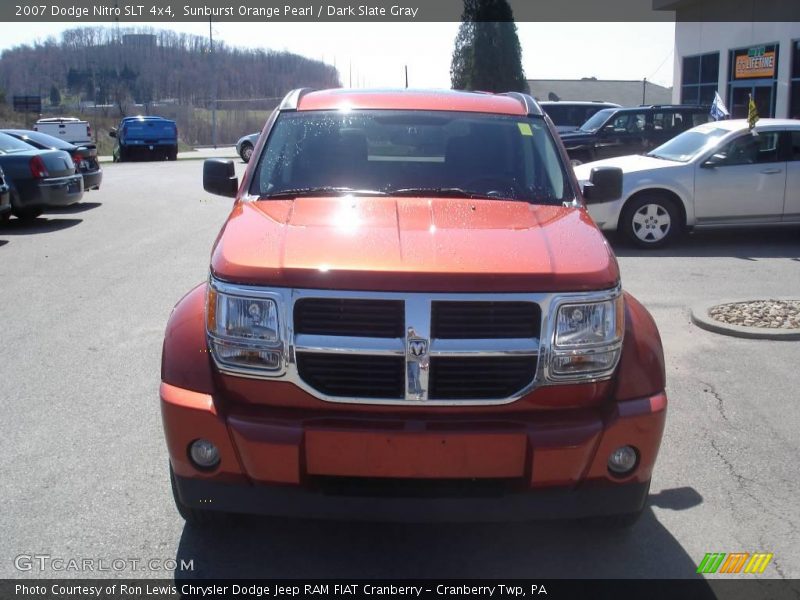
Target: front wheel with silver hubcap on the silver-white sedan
(651, 220)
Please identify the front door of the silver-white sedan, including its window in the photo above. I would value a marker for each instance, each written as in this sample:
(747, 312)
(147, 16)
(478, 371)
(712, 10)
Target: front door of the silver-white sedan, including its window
(742, 181)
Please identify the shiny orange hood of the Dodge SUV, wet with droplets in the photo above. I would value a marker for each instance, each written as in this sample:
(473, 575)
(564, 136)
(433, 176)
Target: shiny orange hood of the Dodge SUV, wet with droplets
(413, 244)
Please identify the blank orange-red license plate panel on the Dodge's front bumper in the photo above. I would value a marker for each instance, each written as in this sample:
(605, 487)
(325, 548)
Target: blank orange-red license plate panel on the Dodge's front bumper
(415, 455)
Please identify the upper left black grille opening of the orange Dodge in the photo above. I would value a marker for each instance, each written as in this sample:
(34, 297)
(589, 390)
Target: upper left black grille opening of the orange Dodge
(349, 317)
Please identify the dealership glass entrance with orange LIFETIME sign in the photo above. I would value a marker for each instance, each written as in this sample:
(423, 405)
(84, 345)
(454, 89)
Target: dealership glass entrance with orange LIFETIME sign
(753, 73)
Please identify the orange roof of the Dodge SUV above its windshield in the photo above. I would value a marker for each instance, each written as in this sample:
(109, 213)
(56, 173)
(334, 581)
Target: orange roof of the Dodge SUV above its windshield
(412, 99)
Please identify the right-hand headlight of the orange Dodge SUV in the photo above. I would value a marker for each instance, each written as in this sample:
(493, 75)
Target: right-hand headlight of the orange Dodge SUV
(587, 339)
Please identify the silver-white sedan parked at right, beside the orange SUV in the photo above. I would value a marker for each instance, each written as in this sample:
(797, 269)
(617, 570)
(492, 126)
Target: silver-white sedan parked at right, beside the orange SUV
(719, 174)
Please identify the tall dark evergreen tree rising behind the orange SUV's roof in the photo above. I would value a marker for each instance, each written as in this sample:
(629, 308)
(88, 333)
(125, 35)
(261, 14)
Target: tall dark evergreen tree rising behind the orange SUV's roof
(487, 54)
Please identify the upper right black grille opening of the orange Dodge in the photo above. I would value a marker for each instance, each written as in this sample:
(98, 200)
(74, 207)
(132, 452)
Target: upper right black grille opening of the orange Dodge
(485, 320)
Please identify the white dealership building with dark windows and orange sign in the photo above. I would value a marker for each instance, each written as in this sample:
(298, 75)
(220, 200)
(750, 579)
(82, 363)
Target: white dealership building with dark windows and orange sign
(736, 59)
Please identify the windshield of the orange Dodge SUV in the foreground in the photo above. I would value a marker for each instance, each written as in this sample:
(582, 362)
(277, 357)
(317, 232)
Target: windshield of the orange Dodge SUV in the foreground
(411, 153)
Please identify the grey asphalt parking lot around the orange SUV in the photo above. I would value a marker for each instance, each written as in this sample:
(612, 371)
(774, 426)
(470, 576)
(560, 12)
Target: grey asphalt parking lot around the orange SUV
(85, 296)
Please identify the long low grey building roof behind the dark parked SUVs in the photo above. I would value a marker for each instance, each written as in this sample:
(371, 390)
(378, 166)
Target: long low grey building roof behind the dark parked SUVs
(619, 91)
